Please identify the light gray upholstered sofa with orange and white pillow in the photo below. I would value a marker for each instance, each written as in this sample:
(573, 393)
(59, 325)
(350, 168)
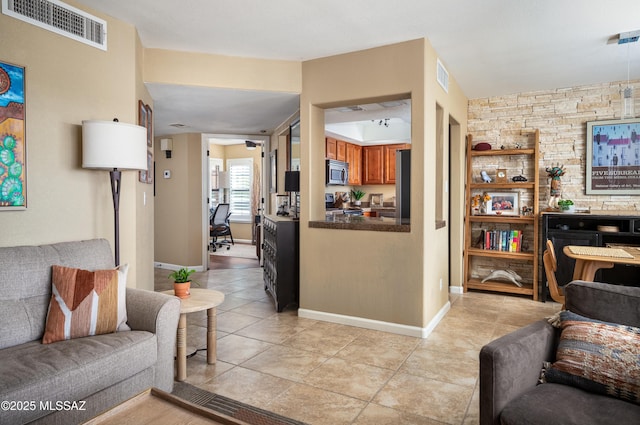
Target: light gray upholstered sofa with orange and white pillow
(42, 381)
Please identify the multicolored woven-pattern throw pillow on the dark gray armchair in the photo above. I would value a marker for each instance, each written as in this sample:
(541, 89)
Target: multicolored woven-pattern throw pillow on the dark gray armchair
(597, 356)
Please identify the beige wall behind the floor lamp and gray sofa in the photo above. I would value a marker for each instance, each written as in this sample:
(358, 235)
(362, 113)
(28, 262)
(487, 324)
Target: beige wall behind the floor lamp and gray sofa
(67, 82)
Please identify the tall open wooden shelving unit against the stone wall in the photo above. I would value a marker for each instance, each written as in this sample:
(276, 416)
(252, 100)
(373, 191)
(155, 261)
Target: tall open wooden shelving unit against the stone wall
(501, 259)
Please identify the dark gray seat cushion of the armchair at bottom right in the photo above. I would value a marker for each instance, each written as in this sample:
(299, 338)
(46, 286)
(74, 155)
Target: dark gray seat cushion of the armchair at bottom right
(561, 404)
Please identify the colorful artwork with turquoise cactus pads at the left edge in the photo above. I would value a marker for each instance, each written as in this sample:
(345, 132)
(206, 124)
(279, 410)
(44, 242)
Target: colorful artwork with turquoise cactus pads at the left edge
(13, 153)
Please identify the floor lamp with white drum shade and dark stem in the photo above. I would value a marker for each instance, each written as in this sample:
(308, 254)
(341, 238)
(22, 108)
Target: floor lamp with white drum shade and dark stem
(114, 146)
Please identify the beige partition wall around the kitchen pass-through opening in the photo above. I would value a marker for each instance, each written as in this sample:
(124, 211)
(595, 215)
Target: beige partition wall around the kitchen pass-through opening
(389, 277)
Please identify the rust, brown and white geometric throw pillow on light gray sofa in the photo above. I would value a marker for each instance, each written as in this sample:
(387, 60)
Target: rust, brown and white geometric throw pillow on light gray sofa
(85, 303)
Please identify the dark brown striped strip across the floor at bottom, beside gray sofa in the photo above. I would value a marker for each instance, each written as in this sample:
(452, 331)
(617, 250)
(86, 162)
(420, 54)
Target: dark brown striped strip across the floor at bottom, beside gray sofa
(235, 409)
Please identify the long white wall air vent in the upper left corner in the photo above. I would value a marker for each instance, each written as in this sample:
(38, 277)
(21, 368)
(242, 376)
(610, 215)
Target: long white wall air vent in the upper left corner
(53, 15)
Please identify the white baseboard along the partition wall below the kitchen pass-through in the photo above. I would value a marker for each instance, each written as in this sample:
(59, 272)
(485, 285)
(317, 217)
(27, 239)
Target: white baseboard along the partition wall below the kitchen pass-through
(377, 325)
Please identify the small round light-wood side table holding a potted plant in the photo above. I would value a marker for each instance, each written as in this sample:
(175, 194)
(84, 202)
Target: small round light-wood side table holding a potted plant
(200, 299)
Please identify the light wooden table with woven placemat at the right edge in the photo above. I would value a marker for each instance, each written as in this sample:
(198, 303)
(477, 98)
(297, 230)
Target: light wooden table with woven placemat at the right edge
(590, 259)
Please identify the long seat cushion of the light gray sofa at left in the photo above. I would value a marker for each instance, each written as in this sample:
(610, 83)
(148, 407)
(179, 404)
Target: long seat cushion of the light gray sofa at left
(71, 370)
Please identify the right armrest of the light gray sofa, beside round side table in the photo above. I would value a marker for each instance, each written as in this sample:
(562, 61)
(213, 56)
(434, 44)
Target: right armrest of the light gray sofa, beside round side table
(159, 314)
